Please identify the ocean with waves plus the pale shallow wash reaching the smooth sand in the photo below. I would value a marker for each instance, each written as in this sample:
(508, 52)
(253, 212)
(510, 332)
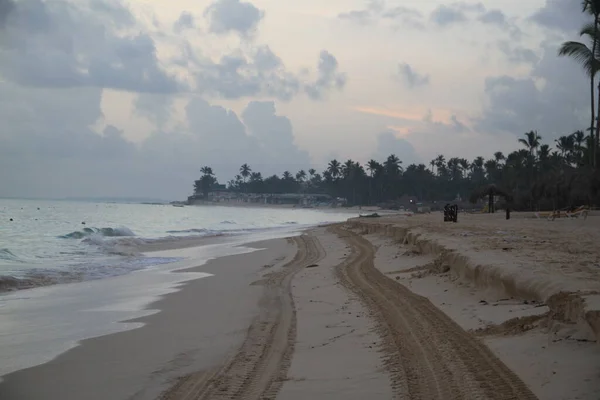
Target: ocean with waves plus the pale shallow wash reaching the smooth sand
(70, 271)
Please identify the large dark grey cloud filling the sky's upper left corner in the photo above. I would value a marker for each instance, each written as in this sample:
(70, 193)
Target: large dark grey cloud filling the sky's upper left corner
(39, 48)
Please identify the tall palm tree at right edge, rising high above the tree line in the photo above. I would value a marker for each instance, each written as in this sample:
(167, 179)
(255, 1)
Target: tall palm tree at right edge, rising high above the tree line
(588, 58)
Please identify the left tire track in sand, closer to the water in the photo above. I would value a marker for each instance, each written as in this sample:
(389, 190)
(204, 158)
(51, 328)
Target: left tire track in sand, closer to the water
(259, 367)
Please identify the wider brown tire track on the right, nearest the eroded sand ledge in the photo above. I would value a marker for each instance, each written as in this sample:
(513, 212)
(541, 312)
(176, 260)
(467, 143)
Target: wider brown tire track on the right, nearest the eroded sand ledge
(427, 354)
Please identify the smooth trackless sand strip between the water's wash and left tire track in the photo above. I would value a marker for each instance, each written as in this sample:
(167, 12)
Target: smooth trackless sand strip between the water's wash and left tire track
(145, 360)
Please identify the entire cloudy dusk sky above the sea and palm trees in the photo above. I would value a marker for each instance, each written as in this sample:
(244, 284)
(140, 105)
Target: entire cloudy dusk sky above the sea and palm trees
(132, 97)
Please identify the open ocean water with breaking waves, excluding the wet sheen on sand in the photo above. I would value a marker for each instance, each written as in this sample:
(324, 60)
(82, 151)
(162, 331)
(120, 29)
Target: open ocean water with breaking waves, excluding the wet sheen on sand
(52, 242)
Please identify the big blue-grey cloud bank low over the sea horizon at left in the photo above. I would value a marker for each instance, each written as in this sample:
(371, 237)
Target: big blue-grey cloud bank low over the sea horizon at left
(47, 147)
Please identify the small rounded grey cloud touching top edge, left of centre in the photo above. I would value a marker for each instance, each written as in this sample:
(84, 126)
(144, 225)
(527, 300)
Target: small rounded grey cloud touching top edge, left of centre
(227, 16)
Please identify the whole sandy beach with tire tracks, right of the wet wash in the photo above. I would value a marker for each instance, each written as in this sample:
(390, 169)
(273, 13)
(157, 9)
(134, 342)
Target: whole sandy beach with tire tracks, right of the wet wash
(381, 308)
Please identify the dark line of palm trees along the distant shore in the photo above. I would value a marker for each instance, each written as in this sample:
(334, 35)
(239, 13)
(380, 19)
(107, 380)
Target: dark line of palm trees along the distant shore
(537, 176)
